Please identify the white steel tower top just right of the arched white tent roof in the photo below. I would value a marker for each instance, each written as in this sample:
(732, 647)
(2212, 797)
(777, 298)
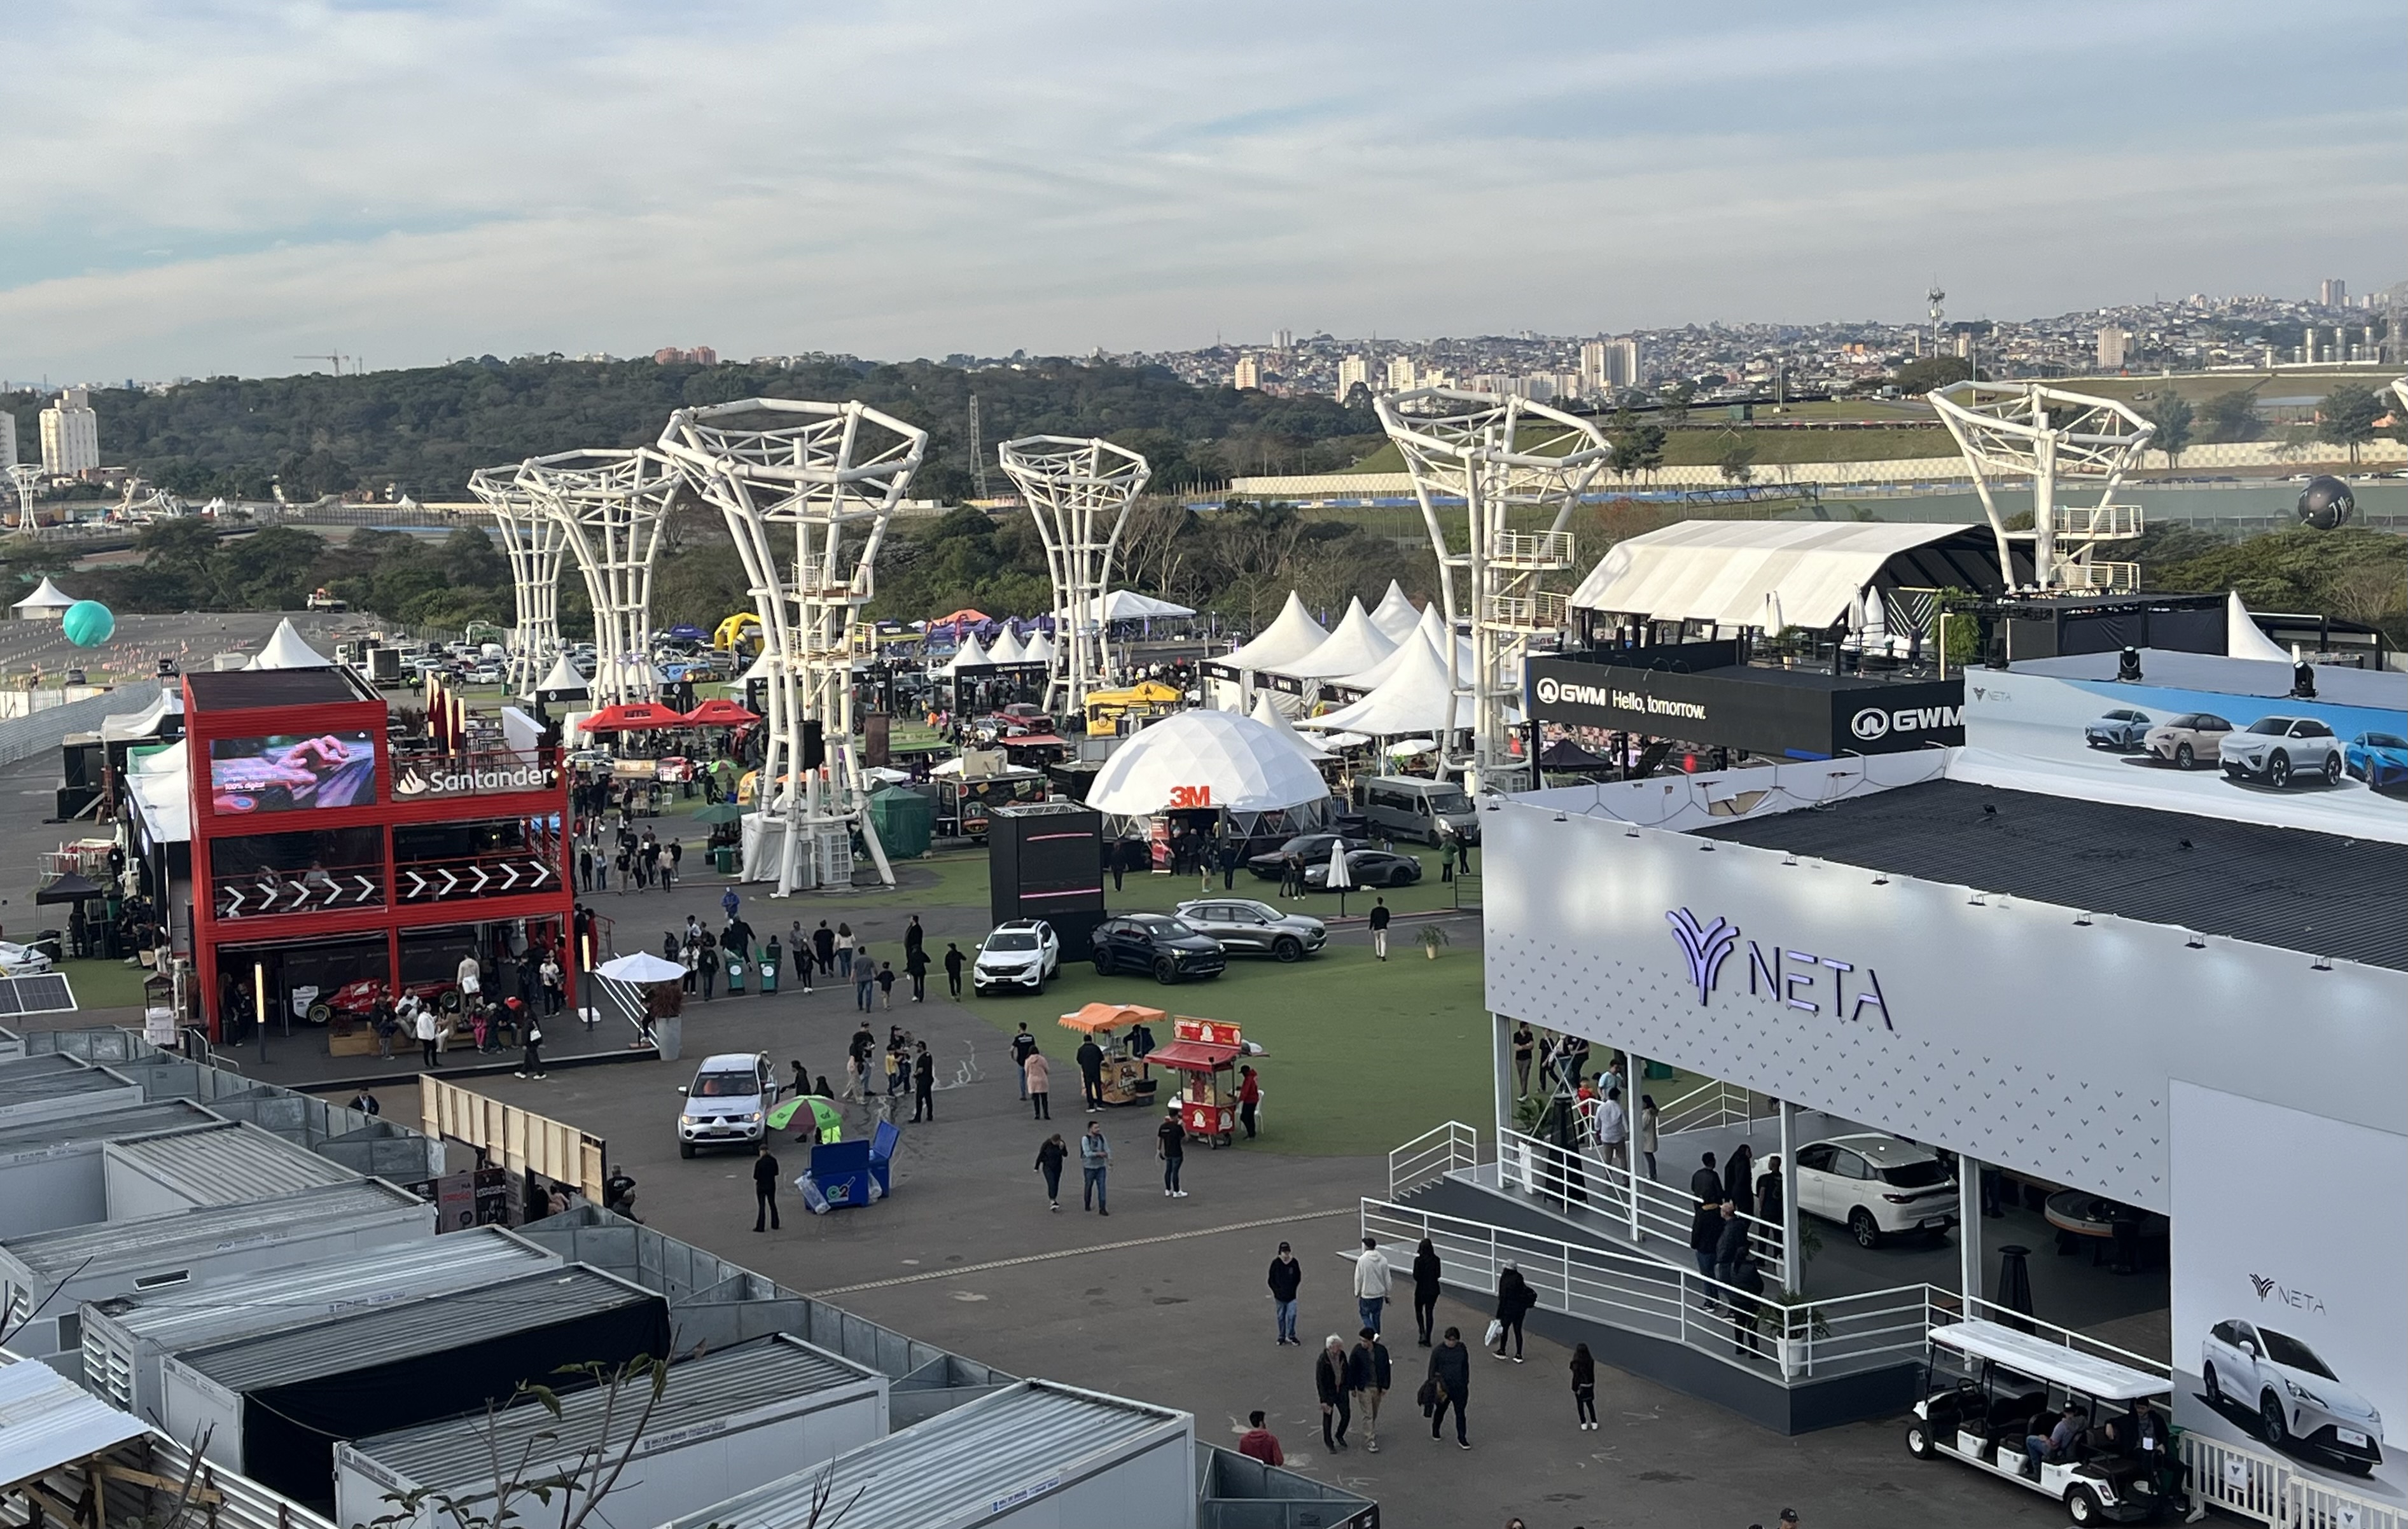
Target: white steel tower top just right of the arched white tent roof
(2050, 437)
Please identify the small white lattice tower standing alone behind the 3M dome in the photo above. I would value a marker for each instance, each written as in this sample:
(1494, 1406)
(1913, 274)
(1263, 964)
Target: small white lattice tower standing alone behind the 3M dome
(1080, 492)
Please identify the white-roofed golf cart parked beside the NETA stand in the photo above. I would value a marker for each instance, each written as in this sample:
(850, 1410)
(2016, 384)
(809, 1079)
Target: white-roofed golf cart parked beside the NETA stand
(1990, 1388)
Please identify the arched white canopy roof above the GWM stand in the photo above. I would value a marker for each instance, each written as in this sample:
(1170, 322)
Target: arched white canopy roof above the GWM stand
(1749, 572)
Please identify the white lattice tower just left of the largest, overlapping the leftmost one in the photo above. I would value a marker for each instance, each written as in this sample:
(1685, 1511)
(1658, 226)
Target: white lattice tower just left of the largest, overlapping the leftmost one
(610, 507)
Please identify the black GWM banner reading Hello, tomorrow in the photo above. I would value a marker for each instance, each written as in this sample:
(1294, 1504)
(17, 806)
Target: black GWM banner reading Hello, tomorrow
(1764, 712)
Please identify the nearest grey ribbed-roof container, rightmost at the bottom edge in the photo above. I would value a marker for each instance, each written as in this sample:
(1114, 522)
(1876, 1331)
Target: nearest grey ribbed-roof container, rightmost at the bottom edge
(1034, 1453)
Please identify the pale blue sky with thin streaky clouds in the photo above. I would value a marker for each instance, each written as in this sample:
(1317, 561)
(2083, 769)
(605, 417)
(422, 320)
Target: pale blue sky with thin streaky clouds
(225, 187)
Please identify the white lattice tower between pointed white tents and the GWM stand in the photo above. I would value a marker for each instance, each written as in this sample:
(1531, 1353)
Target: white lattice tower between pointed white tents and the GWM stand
(1506, 461)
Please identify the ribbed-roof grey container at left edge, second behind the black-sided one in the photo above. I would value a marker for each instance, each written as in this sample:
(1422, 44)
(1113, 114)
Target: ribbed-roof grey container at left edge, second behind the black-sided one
(49, 1277)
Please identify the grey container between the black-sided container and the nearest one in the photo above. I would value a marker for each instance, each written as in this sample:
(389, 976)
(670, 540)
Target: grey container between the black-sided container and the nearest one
(726, 1422)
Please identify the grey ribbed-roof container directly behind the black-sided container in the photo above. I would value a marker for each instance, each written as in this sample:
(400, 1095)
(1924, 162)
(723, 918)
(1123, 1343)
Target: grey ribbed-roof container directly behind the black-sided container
(129, 1338)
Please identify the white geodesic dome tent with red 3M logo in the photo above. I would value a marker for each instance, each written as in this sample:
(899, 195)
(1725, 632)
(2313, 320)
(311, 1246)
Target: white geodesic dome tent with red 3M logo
(1246, 767)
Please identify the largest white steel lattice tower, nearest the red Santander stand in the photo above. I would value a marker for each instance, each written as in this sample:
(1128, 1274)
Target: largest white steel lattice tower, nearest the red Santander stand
(808, 490)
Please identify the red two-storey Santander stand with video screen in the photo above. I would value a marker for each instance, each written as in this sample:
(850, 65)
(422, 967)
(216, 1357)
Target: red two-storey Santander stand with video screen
(334, 861)
